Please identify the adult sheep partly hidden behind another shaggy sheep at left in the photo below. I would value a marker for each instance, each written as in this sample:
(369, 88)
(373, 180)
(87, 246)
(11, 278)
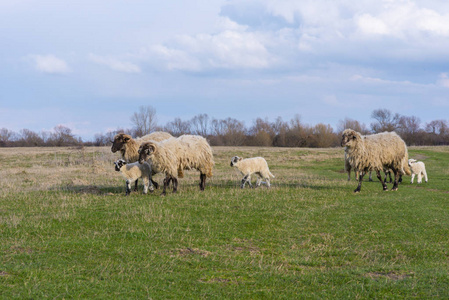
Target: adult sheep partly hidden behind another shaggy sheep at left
(129, 147)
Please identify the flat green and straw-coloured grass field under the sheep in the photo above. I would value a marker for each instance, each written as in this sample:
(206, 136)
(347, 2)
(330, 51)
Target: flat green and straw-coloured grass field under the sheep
(68, 231)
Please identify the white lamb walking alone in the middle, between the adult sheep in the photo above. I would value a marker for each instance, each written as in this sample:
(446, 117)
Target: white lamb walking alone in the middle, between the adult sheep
(249, 166)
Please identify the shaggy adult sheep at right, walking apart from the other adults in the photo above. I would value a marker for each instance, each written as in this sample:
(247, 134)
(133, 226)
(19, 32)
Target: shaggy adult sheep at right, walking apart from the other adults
(376, 152)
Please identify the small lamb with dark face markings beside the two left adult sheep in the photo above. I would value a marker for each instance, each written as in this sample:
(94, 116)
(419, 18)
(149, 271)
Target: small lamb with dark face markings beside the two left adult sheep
(132, 171)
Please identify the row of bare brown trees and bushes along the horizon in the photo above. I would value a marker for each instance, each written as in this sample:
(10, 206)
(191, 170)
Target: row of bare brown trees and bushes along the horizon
(233, 132)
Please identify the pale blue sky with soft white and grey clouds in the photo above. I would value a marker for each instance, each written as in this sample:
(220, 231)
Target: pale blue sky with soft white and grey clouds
(89, 65)
